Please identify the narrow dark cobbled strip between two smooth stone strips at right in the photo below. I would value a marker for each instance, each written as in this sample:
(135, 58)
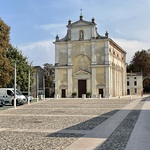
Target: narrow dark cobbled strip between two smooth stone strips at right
(119, 138)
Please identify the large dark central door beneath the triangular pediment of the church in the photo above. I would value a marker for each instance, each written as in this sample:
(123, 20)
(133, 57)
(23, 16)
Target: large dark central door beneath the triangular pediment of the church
(81, 87)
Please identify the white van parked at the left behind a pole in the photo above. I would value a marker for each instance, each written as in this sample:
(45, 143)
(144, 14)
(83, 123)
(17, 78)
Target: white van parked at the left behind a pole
(7, 94)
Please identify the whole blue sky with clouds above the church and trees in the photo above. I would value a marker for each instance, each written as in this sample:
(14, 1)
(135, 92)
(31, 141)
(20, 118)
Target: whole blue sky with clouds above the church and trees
(35, 24)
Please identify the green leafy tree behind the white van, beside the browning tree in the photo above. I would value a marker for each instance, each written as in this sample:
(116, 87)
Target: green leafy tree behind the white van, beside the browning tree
(22, 68)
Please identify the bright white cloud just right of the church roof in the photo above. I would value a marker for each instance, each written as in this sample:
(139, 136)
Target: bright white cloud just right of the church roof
(131, 46)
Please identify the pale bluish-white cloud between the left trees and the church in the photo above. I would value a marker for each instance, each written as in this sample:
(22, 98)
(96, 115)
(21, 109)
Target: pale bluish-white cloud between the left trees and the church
(39, 52)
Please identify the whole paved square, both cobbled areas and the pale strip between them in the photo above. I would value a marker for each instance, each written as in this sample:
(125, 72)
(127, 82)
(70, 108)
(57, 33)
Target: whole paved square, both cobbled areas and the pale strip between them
(69, 124)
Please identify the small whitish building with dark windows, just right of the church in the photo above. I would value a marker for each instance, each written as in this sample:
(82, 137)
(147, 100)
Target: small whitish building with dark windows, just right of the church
(134, 83)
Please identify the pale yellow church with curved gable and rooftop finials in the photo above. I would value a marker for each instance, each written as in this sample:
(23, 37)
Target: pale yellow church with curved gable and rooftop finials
(87, 62)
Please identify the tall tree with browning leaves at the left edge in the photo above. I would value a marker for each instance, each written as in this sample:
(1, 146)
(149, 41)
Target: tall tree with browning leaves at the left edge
(5, 66)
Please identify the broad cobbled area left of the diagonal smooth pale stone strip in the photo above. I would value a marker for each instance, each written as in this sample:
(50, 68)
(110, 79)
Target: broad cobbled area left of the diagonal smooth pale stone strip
(54, 124)
